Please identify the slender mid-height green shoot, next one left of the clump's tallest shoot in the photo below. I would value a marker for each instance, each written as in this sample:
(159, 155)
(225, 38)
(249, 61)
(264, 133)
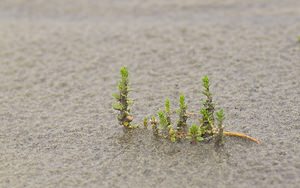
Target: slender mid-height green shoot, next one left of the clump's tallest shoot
(182, 122)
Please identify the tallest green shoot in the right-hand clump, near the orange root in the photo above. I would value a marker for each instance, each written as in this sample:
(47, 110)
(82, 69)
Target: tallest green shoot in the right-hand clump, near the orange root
(208, 109)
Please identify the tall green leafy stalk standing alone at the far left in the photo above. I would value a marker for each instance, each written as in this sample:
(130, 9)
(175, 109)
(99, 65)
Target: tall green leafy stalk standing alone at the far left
(122, 101)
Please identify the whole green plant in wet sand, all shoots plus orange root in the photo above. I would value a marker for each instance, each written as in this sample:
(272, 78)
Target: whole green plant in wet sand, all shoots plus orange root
(209, 124)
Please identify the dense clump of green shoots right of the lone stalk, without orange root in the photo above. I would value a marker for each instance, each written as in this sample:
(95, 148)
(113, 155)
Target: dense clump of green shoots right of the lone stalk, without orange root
(204, 130)
